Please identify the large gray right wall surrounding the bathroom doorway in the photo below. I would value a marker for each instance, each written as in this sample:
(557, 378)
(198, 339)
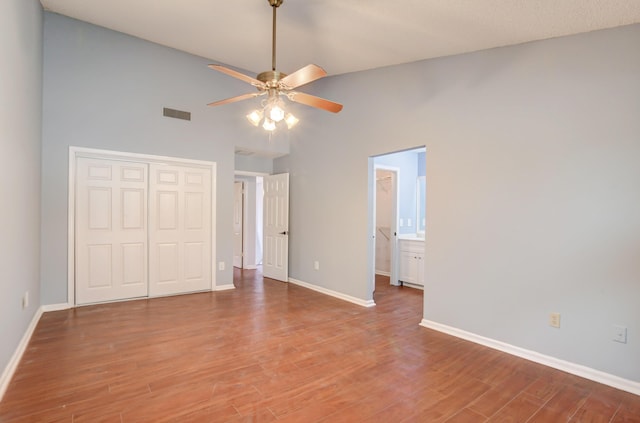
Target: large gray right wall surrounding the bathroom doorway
(533, 176)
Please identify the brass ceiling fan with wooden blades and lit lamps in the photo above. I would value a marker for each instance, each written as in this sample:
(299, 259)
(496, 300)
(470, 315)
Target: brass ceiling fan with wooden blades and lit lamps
(275, 84)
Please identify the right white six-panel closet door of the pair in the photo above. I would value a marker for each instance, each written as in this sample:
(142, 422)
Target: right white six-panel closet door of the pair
(179, 229)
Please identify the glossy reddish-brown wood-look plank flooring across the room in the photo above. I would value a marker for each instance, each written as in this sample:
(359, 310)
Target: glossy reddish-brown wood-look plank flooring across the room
(275, 352)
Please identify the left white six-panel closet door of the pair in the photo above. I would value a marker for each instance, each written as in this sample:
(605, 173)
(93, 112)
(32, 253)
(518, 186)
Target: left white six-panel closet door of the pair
(111, 230)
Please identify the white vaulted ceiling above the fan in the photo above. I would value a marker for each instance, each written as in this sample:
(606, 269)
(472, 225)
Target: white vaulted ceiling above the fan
(345, 35)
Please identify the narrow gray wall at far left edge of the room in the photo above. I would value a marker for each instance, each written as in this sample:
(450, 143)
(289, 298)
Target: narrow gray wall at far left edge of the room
(20, 129)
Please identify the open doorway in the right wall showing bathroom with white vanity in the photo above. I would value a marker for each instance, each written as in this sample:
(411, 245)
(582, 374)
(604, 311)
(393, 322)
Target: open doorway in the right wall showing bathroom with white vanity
(397, 203)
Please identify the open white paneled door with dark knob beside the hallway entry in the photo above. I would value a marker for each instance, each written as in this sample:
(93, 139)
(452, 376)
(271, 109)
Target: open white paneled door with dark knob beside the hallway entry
(275, 264)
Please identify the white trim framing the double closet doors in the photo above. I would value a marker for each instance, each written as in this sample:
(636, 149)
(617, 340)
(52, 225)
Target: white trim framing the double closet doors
(75, 152)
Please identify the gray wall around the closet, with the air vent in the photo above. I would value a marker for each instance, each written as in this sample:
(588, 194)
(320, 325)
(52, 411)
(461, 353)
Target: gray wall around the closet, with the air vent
(106, 90)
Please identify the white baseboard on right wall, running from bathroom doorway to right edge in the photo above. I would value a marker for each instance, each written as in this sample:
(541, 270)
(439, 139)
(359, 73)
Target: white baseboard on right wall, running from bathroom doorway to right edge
(556, 363)
